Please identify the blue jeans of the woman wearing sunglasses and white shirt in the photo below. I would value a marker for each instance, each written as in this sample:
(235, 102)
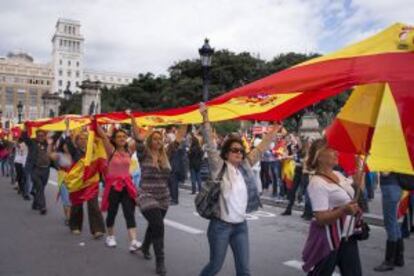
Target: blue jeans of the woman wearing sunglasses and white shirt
(220, 234)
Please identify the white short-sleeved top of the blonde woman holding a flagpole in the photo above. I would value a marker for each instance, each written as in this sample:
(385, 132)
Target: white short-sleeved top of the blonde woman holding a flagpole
(326, 196)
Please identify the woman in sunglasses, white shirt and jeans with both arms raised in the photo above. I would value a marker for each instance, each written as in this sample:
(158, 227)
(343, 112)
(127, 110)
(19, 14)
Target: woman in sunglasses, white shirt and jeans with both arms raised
(239, 196)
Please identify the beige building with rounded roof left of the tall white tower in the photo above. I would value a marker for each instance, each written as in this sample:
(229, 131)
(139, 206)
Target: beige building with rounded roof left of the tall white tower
(22, 80)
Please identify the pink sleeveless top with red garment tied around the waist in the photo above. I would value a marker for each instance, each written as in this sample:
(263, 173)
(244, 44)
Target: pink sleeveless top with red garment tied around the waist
(117, 176)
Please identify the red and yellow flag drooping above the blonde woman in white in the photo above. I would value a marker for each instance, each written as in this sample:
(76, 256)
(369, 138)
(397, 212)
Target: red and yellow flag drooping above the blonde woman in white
(377, 121)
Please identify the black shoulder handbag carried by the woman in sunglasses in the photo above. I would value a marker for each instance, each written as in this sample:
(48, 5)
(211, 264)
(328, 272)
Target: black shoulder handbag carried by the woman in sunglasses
(207, 201)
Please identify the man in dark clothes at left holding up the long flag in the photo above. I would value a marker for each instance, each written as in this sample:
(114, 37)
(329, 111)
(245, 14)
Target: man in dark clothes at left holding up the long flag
(38, 159)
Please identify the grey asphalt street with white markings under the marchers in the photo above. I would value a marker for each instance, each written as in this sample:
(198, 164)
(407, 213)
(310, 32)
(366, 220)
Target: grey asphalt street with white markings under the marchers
(42, 245)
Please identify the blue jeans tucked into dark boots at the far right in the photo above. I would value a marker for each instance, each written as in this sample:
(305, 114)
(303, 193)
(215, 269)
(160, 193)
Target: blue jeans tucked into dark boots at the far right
(391, 194)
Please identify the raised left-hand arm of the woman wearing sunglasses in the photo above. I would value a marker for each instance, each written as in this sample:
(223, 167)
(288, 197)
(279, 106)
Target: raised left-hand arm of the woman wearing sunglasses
(214, 160)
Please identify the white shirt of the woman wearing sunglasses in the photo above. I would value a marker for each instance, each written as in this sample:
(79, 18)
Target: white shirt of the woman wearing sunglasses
(234, 195)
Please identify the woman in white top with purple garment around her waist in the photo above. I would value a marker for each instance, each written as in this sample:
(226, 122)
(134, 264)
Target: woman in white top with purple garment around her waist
(332, 239)
